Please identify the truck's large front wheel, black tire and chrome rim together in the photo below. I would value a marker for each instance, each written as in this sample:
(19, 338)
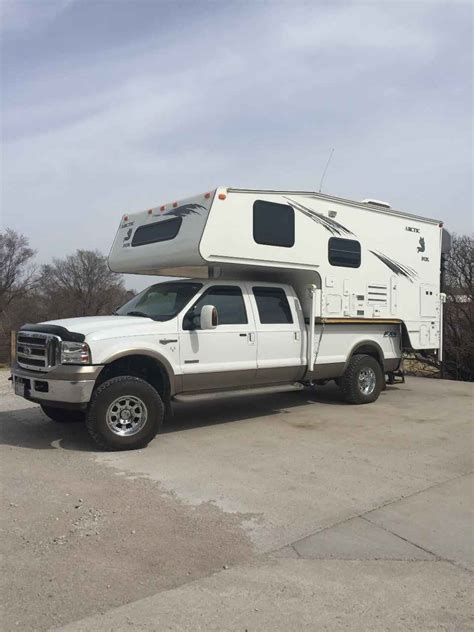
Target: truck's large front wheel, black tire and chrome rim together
(125, 413)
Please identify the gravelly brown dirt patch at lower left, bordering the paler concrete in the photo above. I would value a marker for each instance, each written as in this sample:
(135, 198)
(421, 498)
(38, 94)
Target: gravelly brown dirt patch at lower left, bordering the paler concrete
(79, 539)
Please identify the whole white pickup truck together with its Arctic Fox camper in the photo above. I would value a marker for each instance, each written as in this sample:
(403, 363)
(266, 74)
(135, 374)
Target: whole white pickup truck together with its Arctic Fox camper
(275, 290)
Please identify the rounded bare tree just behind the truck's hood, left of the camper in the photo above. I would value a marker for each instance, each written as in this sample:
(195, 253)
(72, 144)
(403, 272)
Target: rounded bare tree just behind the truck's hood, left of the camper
(80, 285)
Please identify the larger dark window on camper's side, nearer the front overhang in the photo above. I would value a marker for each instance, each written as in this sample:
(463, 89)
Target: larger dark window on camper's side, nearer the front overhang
(273, 224)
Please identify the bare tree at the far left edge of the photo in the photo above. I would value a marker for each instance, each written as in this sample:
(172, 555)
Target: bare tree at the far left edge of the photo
(17, 274)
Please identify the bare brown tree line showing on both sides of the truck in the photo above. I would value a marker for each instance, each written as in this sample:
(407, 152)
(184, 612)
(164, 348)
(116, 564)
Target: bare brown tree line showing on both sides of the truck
(81, 284)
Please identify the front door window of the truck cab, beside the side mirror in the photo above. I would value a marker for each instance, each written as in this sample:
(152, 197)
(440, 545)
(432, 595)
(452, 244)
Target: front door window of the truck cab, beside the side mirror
(228, 301)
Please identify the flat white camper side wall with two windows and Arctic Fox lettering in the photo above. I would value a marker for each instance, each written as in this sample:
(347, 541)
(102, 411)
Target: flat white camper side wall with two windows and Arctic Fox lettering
(371, 264)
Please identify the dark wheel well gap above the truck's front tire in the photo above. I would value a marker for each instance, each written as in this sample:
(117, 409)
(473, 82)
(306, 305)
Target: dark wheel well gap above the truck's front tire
(141, 366)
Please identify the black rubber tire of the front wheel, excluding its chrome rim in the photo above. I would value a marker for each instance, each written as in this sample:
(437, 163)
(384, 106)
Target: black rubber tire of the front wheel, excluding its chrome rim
(113, 389)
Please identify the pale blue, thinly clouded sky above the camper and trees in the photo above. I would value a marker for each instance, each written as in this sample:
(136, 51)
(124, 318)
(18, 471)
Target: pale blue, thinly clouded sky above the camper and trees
(114, 106)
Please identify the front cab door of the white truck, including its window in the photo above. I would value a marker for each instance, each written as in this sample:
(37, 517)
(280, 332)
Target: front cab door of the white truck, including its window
(224, 357)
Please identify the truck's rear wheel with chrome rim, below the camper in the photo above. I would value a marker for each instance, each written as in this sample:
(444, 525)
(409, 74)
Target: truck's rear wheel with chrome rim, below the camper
(362, 380)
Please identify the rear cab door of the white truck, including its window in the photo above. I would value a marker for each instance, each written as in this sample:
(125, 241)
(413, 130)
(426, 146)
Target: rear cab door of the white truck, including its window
(281, 355)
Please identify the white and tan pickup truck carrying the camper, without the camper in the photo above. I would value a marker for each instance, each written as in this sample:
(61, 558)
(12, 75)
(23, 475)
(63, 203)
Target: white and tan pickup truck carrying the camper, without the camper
(188, 337)
